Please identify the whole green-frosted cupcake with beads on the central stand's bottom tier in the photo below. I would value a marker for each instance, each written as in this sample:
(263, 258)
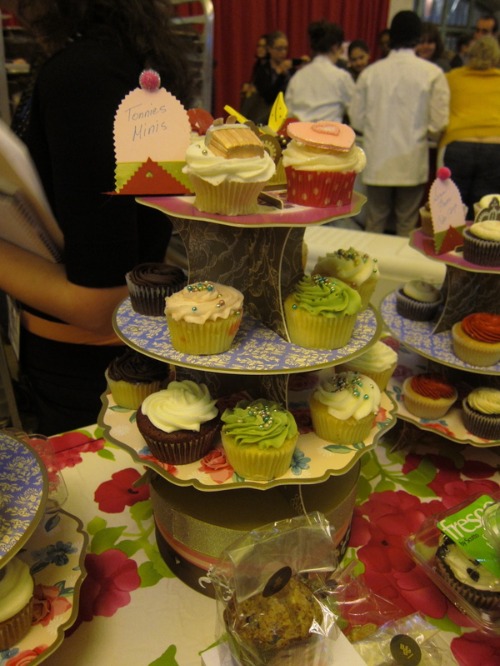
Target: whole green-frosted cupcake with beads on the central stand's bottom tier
(259, 439)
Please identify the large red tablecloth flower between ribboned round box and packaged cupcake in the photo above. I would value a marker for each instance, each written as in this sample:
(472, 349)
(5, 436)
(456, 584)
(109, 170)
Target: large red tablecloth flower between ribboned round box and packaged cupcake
(380, 528)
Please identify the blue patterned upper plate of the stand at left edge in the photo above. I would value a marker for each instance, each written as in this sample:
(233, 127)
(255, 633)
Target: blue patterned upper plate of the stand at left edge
(23, 494)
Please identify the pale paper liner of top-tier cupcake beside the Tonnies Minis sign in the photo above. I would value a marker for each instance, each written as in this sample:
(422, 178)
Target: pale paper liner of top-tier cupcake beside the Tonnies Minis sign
(228, 198)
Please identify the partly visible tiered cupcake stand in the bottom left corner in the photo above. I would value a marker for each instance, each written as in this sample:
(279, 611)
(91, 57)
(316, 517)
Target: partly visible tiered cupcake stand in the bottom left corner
(52, 544)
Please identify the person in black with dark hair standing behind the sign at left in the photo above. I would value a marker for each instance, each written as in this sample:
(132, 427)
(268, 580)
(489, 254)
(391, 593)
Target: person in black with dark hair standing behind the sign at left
(96, 51)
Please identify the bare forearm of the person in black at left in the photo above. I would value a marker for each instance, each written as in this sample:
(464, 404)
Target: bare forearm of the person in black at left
(43, 285)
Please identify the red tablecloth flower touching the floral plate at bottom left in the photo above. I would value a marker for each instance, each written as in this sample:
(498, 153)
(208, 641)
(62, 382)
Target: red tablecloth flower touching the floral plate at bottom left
(111, 576)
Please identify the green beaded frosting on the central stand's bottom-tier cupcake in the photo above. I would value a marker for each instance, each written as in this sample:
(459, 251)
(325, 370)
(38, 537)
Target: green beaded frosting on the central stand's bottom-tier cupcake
(260, 423)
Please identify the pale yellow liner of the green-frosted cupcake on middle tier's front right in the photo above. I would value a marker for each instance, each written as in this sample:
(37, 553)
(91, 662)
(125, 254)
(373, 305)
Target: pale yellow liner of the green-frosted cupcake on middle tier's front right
(317, 332)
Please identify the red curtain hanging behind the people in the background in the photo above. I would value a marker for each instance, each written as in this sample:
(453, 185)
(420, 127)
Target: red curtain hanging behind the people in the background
(239, 23)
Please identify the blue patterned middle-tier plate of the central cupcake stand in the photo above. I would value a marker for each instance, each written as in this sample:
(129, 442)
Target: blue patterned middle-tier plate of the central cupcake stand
(256, 349)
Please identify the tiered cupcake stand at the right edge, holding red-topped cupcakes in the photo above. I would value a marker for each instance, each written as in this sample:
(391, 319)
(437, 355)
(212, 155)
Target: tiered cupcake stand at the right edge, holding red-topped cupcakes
(428, 346)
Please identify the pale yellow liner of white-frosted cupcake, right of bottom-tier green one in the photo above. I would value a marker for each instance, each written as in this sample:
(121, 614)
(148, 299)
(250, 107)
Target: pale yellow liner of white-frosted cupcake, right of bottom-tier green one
(332, 429)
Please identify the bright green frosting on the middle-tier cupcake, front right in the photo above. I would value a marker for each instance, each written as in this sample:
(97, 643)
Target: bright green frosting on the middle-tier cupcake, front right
(325, 296)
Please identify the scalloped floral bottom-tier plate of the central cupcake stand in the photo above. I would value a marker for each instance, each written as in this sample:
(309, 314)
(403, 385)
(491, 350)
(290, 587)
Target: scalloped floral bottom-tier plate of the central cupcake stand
(315, 459)
